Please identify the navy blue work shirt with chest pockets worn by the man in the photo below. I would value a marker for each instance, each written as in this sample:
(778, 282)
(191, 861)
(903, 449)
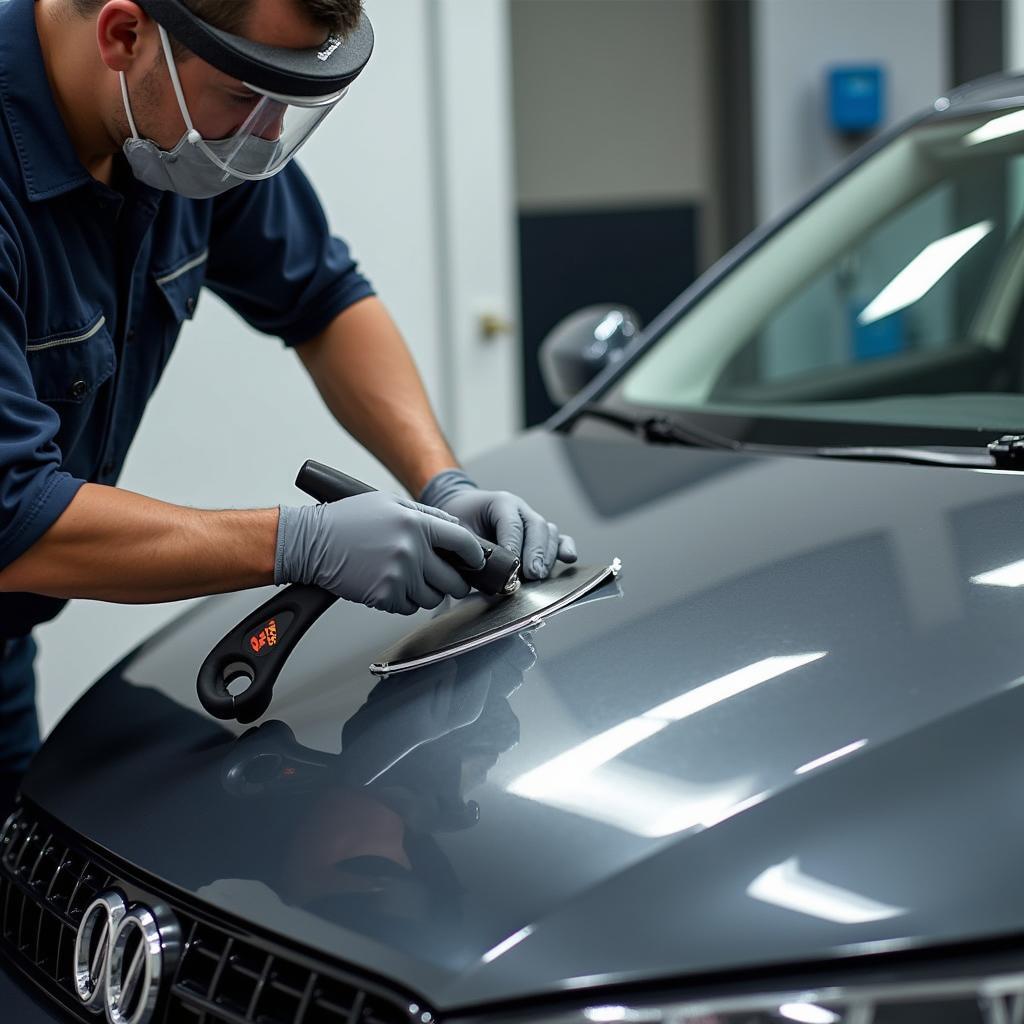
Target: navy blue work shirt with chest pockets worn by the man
(96, 284)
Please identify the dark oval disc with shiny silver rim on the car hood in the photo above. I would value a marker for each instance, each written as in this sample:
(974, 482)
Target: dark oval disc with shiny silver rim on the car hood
(479, 620)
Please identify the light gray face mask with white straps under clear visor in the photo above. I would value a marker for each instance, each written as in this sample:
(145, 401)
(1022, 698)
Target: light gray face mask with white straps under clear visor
(199, 168)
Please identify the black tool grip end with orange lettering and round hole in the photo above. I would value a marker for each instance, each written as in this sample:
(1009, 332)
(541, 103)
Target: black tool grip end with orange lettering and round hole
(257, 650)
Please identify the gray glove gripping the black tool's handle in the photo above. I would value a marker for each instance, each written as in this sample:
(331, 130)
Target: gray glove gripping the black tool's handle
(377, 549)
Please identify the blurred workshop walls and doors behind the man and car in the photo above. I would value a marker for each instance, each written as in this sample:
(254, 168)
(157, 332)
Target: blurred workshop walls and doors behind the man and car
(500, 164)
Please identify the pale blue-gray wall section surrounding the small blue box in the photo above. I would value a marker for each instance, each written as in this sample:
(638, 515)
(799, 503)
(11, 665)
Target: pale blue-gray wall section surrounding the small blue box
(795, 41)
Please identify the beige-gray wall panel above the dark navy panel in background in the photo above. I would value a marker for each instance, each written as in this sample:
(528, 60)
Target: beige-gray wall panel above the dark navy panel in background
(612, 103)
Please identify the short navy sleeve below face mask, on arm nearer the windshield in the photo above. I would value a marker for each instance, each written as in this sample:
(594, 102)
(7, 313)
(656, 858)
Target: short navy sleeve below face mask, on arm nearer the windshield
(274, 261)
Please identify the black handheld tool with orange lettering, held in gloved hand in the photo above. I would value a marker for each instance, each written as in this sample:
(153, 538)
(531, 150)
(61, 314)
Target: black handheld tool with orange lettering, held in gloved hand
(253, 654)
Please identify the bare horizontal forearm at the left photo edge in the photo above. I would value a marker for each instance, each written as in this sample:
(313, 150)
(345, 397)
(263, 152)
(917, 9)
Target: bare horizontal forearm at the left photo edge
(114, 545)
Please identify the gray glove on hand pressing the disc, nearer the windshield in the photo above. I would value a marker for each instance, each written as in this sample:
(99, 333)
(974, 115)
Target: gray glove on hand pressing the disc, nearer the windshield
(497, 516)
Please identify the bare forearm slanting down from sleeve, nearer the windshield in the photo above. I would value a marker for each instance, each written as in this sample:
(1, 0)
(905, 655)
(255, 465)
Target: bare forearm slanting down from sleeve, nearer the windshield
(364, 370)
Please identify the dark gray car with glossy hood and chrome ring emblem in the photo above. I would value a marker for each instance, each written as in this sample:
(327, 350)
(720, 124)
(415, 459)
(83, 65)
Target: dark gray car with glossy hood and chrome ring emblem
(772, 774)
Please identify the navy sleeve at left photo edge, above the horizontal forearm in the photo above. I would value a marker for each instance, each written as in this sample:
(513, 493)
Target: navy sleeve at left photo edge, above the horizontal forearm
(34, 491)
